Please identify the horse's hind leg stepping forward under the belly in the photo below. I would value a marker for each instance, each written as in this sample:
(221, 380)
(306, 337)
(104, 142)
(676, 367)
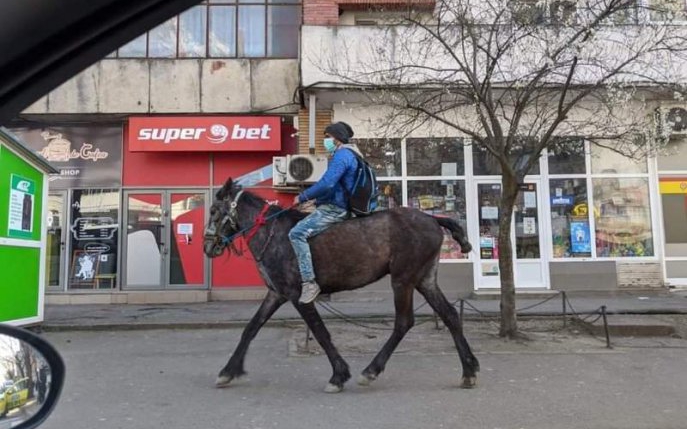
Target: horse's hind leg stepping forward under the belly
(405, 319)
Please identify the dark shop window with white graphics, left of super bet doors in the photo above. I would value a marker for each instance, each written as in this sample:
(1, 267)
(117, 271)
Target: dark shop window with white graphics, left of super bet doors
(93, 238)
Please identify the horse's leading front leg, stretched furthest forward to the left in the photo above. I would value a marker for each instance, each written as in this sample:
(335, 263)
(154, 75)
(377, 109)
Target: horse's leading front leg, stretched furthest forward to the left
(234, 368)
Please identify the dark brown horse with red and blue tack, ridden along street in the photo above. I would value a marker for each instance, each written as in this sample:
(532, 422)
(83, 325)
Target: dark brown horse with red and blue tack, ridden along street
(401, 242)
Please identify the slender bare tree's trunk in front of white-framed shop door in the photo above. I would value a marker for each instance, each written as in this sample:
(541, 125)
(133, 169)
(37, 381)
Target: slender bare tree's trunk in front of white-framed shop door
(509, 323)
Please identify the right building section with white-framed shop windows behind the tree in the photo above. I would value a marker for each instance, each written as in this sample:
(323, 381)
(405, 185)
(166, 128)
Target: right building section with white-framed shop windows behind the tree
(586, 217)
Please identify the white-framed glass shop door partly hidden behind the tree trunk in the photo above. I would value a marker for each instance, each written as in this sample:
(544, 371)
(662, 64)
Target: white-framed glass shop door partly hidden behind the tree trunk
(529, 268)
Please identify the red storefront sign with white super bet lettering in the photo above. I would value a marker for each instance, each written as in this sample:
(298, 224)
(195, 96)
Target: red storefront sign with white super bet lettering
(204, 133)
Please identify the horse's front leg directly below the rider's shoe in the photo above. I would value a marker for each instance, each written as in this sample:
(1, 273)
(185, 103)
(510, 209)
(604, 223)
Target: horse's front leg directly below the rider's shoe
(341, 372)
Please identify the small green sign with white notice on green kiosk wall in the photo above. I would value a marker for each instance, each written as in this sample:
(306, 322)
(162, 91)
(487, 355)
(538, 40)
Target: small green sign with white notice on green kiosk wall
(22, 200)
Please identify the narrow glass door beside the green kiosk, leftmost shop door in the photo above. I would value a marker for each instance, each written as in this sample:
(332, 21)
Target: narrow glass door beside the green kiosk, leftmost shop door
(56, 240)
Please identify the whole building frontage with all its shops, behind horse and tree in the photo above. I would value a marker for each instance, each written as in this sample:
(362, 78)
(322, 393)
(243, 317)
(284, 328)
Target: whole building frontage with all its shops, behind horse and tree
(143, 137)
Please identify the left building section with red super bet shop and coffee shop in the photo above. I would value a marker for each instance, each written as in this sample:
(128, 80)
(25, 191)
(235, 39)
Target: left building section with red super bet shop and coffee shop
(144, 138)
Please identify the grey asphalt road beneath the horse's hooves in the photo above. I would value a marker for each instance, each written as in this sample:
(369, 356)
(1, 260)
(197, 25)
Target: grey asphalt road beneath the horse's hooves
(164, 379)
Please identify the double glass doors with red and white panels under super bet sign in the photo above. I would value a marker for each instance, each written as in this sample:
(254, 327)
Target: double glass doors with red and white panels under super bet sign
(164, 243)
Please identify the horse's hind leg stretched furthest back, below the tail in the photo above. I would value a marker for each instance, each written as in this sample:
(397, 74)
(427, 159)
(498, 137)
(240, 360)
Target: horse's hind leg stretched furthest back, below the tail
(437, 300)
